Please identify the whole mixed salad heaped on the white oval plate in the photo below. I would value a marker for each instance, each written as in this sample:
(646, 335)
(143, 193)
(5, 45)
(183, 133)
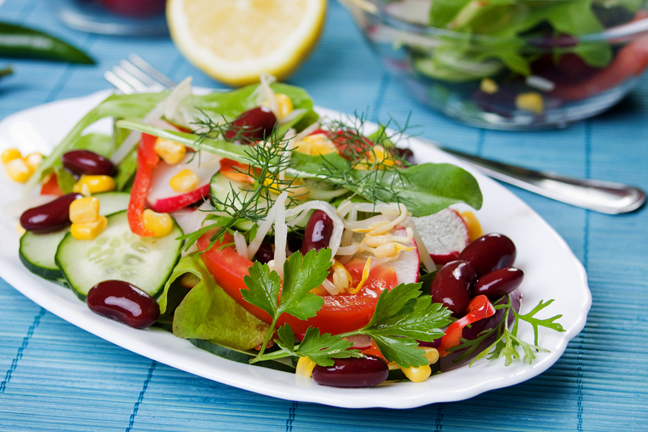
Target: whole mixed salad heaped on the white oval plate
(248, 225)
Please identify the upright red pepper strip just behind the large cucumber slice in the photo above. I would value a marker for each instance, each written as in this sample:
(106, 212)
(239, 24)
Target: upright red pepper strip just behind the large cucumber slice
(147, 159)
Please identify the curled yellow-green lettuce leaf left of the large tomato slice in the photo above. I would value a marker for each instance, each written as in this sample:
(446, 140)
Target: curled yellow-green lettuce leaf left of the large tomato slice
(208, 313)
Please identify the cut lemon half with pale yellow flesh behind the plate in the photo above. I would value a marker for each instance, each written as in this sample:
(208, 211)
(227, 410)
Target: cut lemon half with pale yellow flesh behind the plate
(235, 41)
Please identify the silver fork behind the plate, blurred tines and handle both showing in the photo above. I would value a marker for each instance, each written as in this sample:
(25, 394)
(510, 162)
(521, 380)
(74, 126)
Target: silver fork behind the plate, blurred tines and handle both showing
(136, 75)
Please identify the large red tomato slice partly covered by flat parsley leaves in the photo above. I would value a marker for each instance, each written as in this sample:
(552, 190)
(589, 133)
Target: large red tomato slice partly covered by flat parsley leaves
(339, 314)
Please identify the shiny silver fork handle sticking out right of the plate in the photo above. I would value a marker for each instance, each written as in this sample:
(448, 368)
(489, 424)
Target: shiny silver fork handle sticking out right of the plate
(600, 196)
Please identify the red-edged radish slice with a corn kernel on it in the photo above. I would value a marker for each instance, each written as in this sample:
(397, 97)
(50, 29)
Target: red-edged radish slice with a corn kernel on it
(163, 199)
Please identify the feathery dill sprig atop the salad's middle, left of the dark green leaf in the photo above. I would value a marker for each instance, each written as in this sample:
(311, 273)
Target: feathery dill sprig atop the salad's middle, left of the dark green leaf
(267, 162)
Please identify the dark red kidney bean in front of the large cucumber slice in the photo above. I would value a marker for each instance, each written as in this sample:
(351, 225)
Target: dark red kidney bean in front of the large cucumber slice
(123, 302)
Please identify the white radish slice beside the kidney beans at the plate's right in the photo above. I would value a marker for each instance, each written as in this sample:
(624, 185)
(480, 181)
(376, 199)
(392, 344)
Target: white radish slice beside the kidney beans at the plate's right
(445, 235)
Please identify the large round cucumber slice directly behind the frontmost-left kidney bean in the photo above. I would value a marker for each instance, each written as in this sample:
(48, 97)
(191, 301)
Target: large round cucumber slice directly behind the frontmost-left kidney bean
(117, 253)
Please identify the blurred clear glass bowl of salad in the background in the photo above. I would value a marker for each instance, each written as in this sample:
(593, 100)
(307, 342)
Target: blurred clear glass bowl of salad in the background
(512, 66)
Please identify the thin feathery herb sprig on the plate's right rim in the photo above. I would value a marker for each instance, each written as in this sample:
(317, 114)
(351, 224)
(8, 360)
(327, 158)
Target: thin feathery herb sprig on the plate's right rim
(507, 342)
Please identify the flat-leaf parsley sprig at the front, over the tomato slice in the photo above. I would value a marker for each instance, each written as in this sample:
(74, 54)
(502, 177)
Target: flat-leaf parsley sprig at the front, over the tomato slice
(402, 316)
